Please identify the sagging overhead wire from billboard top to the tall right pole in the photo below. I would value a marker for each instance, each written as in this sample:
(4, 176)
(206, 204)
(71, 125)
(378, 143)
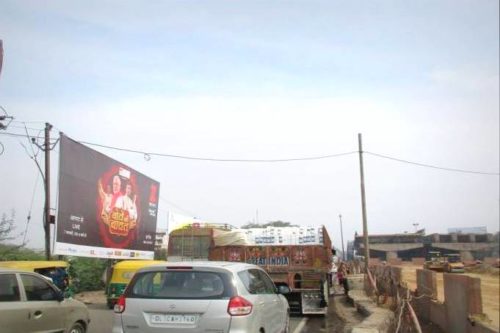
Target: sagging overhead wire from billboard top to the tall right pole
(219, 159)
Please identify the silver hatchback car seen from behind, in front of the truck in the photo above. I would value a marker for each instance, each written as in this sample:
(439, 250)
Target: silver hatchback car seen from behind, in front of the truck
(203, 296)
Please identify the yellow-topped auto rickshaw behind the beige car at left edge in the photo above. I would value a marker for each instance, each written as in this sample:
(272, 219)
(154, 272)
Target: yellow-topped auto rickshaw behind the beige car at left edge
(55, 270)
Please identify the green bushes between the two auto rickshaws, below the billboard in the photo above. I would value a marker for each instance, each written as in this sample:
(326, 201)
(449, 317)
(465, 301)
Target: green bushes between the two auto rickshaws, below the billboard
(86, 273)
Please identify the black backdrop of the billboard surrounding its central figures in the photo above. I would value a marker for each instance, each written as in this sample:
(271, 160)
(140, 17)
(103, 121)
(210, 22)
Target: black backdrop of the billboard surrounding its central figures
(80, 213)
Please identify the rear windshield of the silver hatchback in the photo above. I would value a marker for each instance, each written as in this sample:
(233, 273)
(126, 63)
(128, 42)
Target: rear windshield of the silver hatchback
(180, 285)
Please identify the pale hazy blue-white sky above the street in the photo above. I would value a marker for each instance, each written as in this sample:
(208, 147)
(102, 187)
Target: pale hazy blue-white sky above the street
(264, 80)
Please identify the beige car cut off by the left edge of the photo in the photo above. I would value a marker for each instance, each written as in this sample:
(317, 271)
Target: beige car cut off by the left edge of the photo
(30, 303)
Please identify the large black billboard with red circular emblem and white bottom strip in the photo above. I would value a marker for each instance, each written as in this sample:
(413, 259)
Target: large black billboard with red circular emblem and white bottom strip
(106, 209)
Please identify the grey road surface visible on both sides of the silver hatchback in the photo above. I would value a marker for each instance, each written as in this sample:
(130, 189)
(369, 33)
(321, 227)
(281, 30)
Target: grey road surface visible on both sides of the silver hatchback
(102, 321)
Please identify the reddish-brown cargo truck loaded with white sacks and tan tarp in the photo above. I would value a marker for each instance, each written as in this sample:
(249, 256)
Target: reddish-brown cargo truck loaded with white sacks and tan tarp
(302, 262)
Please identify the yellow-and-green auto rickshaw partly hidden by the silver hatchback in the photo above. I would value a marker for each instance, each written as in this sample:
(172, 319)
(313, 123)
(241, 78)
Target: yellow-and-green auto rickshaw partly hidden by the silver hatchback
(121, 274)
